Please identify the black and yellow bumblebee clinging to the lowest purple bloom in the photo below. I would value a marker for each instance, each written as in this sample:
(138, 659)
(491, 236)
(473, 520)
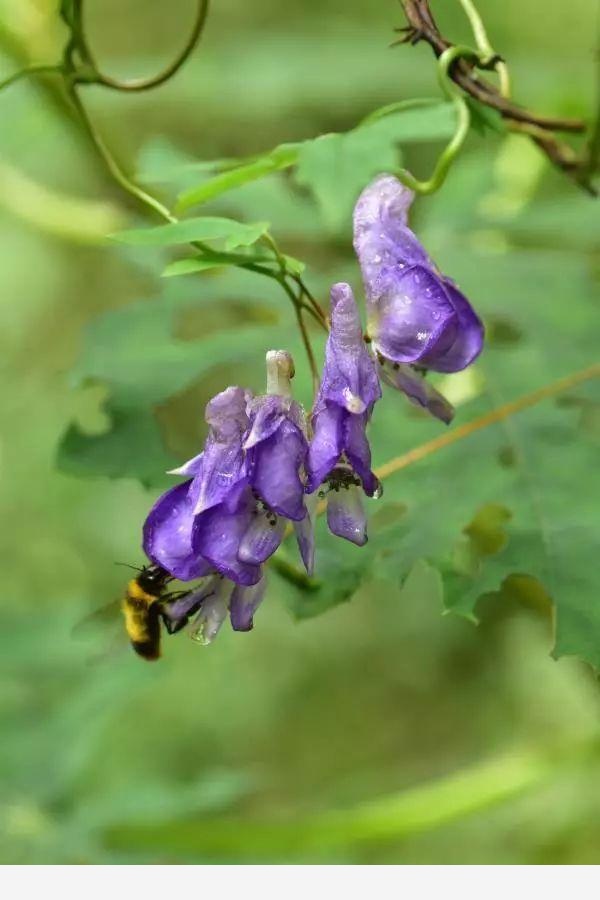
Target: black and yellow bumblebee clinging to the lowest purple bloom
(141, 610)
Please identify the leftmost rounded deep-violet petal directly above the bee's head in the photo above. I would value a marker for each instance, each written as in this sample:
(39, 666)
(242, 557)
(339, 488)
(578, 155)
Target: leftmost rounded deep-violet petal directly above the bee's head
(168, 535)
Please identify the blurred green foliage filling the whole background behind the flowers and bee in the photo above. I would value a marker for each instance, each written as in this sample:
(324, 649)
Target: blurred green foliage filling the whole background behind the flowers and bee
(438, 741)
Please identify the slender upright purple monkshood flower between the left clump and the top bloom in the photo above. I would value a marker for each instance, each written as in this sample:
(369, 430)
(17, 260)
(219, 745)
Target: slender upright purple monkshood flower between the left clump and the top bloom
(339, 455)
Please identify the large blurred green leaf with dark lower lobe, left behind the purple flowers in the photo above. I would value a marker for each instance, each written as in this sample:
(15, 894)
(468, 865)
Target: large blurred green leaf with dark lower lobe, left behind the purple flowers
(133, 352)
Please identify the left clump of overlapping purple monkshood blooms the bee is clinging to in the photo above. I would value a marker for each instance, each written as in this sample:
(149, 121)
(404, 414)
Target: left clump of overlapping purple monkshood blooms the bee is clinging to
(229, 516)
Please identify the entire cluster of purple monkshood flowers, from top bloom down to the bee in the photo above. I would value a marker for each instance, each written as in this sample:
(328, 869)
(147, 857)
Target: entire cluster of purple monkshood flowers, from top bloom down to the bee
(264, 462)
